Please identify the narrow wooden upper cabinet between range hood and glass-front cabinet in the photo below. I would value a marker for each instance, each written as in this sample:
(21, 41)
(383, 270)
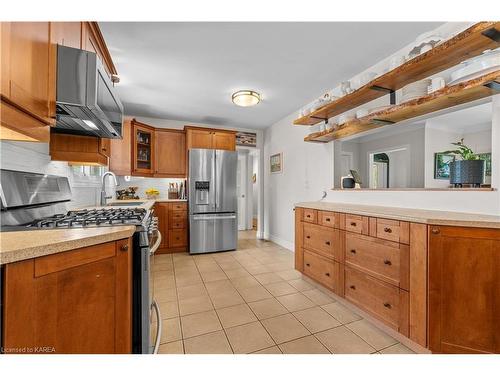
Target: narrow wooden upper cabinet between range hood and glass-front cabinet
(120, 158)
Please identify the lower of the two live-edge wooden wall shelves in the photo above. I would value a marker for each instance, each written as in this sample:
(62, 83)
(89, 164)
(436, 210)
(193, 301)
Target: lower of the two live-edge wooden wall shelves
(465, 92)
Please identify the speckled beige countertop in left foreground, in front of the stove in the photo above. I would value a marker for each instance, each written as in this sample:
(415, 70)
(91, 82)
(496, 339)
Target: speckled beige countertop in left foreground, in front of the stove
(21, 245)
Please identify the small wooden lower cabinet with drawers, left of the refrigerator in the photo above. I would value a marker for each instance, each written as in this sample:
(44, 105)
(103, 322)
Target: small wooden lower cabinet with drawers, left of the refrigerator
(173, 225)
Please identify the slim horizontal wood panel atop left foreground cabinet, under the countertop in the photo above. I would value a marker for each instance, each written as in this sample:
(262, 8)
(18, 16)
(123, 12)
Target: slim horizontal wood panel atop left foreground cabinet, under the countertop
(61, 261)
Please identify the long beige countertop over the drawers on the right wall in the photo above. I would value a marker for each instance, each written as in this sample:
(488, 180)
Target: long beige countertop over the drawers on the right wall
(431, 217)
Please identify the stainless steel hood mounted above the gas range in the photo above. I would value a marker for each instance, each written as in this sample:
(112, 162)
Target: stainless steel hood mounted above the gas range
(86, 101)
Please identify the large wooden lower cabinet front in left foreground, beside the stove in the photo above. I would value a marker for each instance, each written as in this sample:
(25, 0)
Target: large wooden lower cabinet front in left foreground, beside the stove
(78, 301)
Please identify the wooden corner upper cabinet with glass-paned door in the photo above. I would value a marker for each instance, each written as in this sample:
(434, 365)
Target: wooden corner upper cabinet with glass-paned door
(143, 149)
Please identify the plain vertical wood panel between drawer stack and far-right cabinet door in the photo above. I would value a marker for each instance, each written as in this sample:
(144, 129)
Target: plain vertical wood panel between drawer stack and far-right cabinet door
(418, 283)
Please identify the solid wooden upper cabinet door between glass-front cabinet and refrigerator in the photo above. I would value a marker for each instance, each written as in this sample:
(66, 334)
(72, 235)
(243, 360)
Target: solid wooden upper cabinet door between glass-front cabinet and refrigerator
(170, 151)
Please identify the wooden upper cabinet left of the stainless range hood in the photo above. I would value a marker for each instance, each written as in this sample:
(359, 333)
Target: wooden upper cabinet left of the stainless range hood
(25, 77)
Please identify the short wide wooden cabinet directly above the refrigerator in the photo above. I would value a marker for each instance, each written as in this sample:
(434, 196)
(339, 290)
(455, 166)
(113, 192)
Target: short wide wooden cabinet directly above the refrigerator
(210, 138)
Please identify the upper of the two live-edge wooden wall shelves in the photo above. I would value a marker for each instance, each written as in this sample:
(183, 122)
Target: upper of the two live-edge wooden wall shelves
(469, 43)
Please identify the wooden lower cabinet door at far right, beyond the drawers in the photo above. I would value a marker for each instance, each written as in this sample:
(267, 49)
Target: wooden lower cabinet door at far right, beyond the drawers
(464, 290)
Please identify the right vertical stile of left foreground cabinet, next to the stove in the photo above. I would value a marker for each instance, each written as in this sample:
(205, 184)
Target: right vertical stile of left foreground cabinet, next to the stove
(123, 291)
